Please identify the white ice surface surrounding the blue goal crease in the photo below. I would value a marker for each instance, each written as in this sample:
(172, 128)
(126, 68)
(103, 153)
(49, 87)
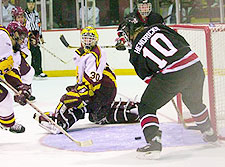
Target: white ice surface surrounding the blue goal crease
(26, 150)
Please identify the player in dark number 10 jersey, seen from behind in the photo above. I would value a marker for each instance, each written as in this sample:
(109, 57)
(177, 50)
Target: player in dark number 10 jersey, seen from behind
(163, 58)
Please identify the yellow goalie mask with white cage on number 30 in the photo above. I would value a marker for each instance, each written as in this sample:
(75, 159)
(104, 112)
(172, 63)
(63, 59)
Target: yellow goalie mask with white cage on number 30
(89, 37)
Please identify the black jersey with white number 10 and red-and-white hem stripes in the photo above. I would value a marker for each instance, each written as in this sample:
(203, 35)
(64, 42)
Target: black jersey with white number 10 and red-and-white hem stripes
(160, 49)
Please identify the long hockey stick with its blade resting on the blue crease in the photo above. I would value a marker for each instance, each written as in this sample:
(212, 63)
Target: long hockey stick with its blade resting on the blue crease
(79, 143)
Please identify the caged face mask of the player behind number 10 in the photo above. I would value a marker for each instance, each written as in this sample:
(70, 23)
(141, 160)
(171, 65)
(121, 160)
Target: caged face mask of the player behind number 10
(144, 7)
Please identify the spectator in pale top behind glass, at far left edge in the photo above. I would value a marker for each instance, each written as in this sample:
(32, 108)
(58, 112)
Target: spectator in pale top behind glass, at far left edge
(6, 10)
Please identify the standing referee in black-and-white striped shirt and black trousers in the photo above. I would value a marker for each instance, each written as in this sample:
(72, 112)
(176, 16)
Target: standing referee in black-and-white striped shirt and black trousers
(34, 27)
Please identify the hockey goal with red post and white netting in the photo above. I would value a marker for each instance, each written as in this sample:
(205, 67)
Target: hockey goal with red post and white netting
(209, 44)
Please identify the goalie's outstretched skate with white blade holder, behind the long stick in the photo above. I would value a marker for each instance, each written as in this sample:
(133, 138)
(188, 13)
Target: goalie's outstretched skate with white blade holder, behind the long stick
(45, 124)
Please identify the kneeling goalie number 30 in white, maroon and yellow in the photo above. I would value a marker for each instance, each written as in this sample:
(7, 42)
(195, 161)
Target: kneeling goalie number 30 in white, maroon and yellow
(94, 92)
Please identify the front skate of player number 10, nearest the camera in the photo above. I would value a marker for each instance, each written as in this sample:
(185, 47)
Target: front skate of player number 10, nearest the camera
(152, 150)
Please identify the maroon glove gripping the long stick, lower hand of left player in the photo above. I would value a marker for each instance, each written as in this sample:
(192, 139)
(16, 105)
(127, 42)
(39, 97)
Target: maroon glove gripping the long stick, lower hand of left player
(24, 93)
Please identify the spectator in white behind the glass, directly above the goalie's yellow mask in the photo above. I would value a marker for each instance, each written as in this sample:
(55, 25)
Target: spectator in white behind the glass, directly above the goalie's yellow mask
(92, 14)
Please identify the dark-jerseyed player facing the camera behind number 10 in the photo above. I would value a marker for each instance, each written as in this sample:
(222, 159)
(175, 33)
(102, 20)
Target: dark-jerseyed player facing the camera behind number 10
(143, 16)
